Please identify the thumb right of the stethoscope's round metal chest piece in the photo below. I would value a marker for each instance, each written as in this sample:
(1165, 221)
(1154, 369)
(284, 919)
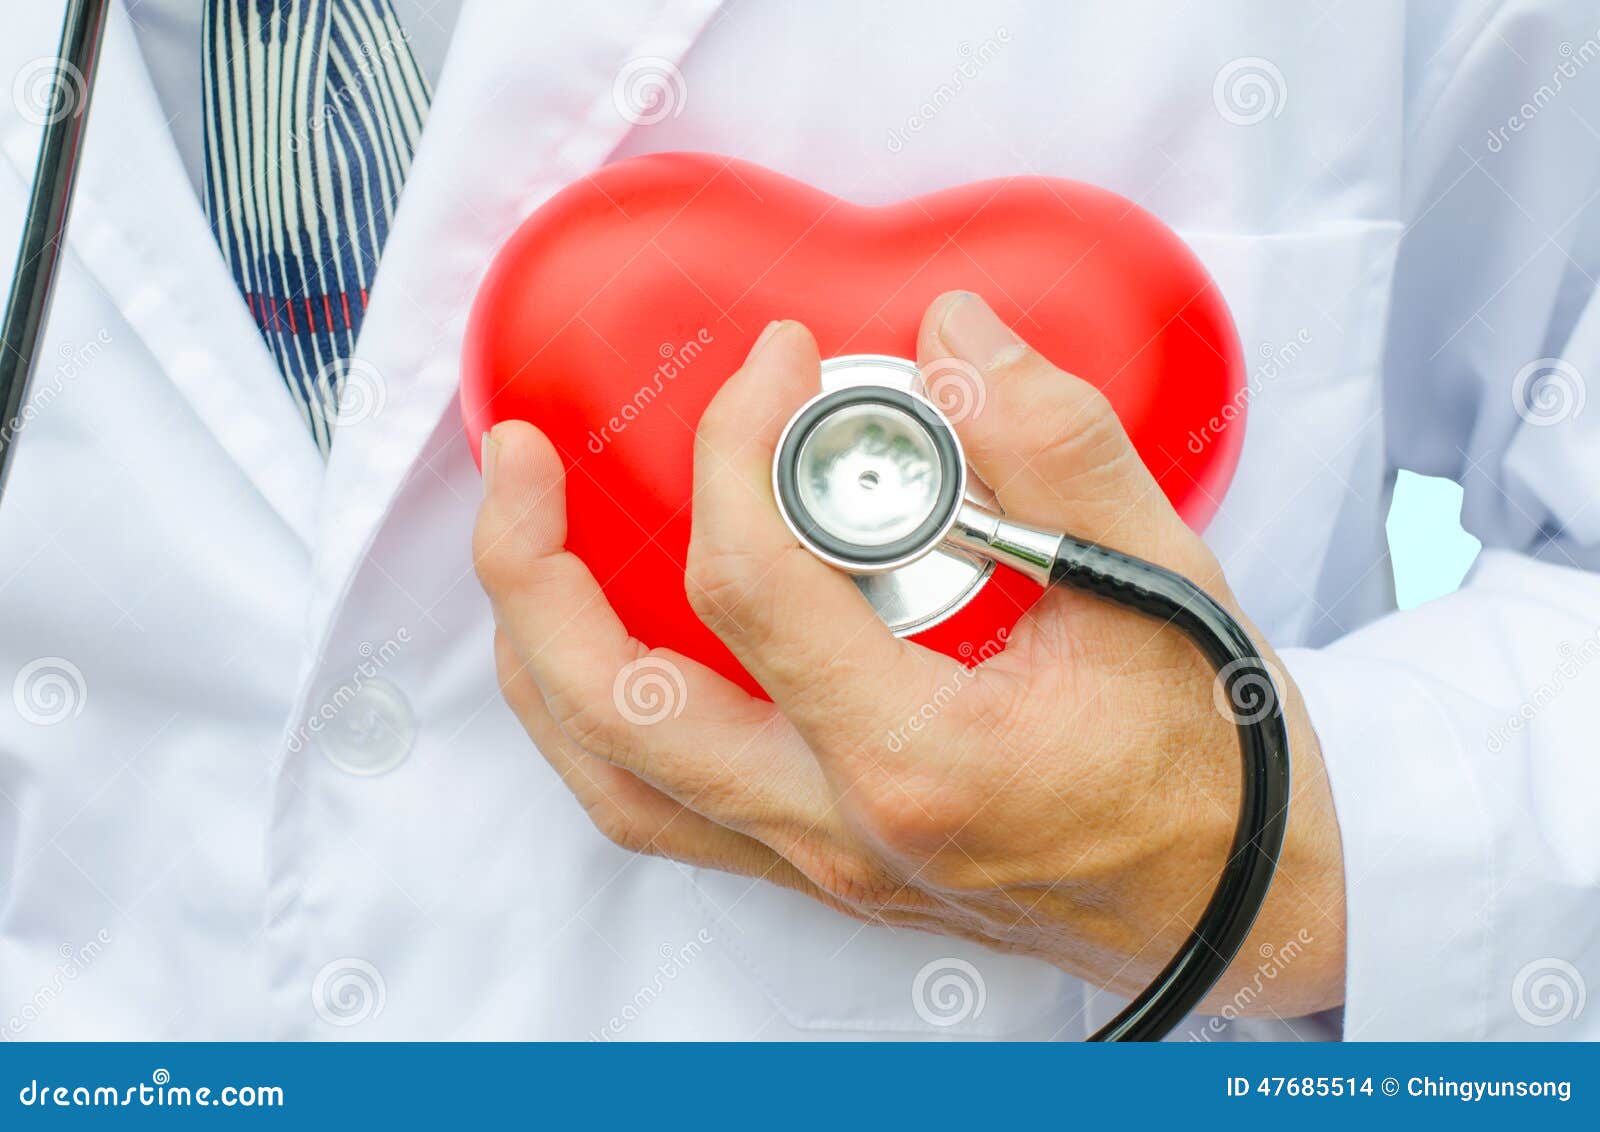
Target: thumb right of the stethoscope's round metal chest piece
(1046, 442)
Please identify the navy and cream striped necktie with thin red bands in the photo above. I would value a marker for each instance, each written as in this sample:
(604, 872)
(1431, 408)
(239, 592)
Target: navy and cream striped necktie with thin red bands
(313, 111)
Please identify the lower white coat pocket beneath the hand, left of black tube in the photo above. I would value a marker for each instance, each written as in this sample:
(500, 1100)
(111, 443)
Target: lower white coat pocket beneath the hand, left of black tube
(825, 971)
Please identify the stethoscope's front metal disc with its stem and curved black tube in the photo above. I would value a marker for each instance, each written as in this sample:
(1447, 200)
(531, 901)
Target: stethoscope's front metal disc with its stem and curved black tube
(873, 479)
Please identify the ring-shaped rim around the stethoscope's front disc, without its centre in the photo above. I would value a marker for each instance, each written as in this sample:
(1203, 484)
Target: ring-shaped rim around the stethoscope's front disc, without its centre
(894, 409)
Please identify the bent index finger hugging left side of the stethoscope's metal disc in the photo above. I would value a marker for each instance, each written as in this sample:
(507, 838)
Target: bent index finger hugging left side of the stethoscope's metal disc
(802, 629)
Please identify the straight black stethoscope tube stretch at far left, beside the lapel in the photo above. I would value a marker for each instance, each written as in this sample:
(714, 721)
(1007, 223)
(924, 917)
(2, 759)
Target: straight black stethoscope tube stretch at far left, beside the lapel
(46, 229)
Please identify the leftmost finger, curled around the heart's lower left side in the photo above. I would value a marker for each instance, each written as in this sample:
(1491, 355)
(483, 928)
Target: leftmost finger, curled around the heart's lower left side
(655, 714)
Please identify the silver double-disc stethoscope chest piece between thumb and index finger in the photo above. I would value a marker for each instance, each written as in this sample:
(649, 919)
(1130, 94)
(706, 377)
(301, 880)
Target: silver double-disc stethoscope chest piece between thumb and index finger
(871, 479)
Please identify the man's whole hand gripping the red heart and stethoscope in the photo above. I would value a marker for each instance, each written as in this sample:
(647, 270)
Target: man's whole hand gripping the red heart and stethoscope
(1071, 799)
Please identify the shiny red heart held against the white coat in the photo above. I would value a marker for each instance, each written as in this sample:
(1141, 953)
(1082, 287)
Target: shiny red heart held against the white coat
(618, 309)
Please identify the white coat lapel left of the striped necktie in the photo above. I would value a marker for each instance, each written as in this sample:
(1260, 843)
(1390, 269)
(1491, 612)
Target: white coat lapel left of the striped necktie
(140, 228)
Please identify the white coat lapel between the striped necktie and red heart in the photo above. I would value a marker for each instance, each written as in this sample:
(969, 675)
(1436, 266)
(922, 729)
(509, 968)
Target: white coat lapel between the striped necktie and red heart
(524, 106)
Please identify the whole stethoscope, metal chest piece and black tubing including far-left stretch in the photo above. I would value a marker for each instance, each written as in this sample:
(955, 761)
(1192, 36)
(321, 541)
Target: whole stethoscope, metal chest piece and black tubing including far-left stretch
(871, 479)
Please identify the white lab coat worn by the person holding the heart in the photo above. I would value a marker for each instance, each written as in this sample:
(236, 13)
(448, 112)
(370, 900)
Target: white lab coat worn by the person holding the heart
(183, 856)
